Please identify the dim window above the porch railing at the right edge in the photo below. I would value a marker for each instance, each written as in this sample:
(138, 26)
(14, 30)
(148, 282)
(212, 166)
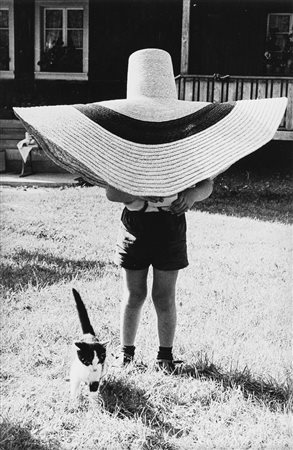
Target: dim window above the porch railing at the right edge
(279, 44)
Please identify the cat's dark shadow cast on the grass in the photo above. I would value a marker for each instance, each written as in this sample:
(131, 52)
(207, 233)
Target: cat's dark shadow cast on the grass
(124, 399)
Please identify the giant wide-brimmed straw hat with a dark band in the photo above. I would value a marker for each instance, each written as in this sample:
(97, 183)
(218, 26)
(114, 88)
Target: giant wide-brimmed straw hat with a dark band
(151, 143)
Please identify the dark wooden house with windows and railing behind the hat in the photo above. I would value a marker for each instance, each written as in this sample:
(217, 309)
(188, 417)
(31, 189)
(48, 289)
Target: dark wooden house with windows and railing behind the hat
(76, 51)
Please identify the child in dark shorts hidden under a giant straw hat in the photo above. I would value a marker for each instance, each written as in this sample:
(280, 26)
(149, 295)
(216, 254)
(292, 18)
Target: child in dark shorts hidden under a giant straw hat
(158, 155)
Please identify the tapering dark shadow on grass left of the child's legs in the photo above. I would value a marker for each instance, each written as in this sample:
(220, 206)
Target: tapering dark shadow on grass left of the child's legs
(40, 269)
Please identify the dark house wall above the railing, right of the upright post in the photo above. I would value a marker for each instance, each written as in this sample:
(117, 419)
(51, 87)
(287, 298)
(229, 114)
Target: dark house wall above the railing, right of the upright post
(229, 36)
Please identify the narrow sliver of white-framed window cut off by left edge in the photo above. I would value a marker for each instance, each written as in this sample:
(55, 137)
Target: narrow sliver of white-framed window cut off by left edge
(6, 39)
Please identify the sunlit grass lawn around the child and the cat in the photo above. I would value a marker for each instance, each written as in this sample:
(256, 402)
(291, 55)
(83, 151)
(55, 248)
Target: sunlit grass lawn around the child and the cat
(234, 325)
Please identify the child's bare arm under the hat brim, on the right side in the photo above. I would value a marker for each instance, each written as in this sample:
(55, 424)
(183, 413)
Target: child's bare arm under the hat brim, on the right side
(187, 198)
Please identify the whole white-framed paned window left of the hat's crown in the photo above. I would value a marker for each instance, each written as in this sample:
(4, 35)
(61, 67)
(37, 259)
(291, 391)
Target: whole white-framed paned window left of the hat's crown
(61, 39)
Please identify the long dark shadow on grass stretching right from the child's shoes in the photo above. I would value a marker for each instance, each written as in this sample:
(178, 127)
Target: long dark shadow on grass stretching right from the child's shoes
(267, 392)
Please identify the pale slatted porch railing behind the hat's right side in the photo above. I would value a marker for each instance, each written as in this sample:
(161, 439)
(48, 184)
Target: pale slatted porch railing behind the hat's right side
(214, 88)
